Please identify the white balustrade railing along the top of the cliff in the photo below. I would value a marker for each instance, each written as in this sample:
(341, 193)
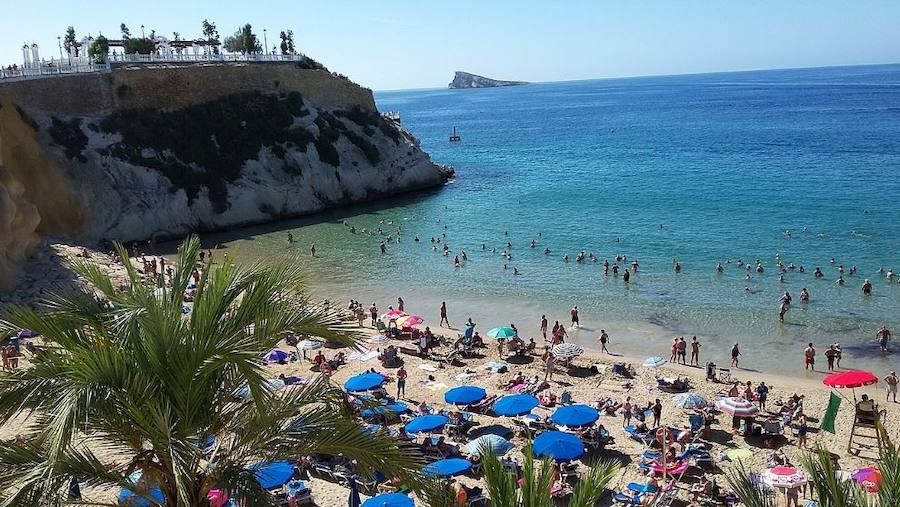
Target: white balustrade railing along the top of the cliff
(79, 66)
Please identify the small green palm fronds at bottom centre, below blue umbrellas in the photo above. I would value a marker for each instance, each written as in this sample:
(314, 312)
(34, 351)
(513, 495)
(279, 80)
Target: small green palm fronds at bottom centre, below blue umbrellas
(503, 489)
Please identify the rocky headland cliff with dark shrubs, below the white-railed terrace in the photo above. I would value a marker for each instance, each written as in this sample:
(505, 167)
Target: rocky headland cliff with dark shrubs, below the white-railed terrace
(127, 164)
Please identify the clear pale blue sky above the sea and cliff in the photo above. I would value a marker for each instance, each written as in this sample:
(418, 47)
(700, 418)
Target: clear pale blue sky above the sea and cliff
(392, 44)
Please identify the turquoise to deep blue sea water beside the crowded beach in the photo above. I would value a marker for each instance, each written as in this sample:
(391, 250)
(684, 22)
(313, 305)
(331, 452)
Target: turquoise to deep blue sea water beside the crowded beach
(703, 169)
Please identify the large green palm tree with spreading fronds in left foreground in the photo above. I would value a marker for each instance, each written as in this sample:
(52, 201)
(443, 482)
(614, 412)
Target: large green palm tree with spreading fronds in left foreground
(125, 383)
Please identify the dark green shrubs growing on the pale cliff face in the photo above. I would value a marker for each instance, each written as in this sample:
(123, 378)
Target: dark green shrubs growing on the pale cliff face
(206, 145)
